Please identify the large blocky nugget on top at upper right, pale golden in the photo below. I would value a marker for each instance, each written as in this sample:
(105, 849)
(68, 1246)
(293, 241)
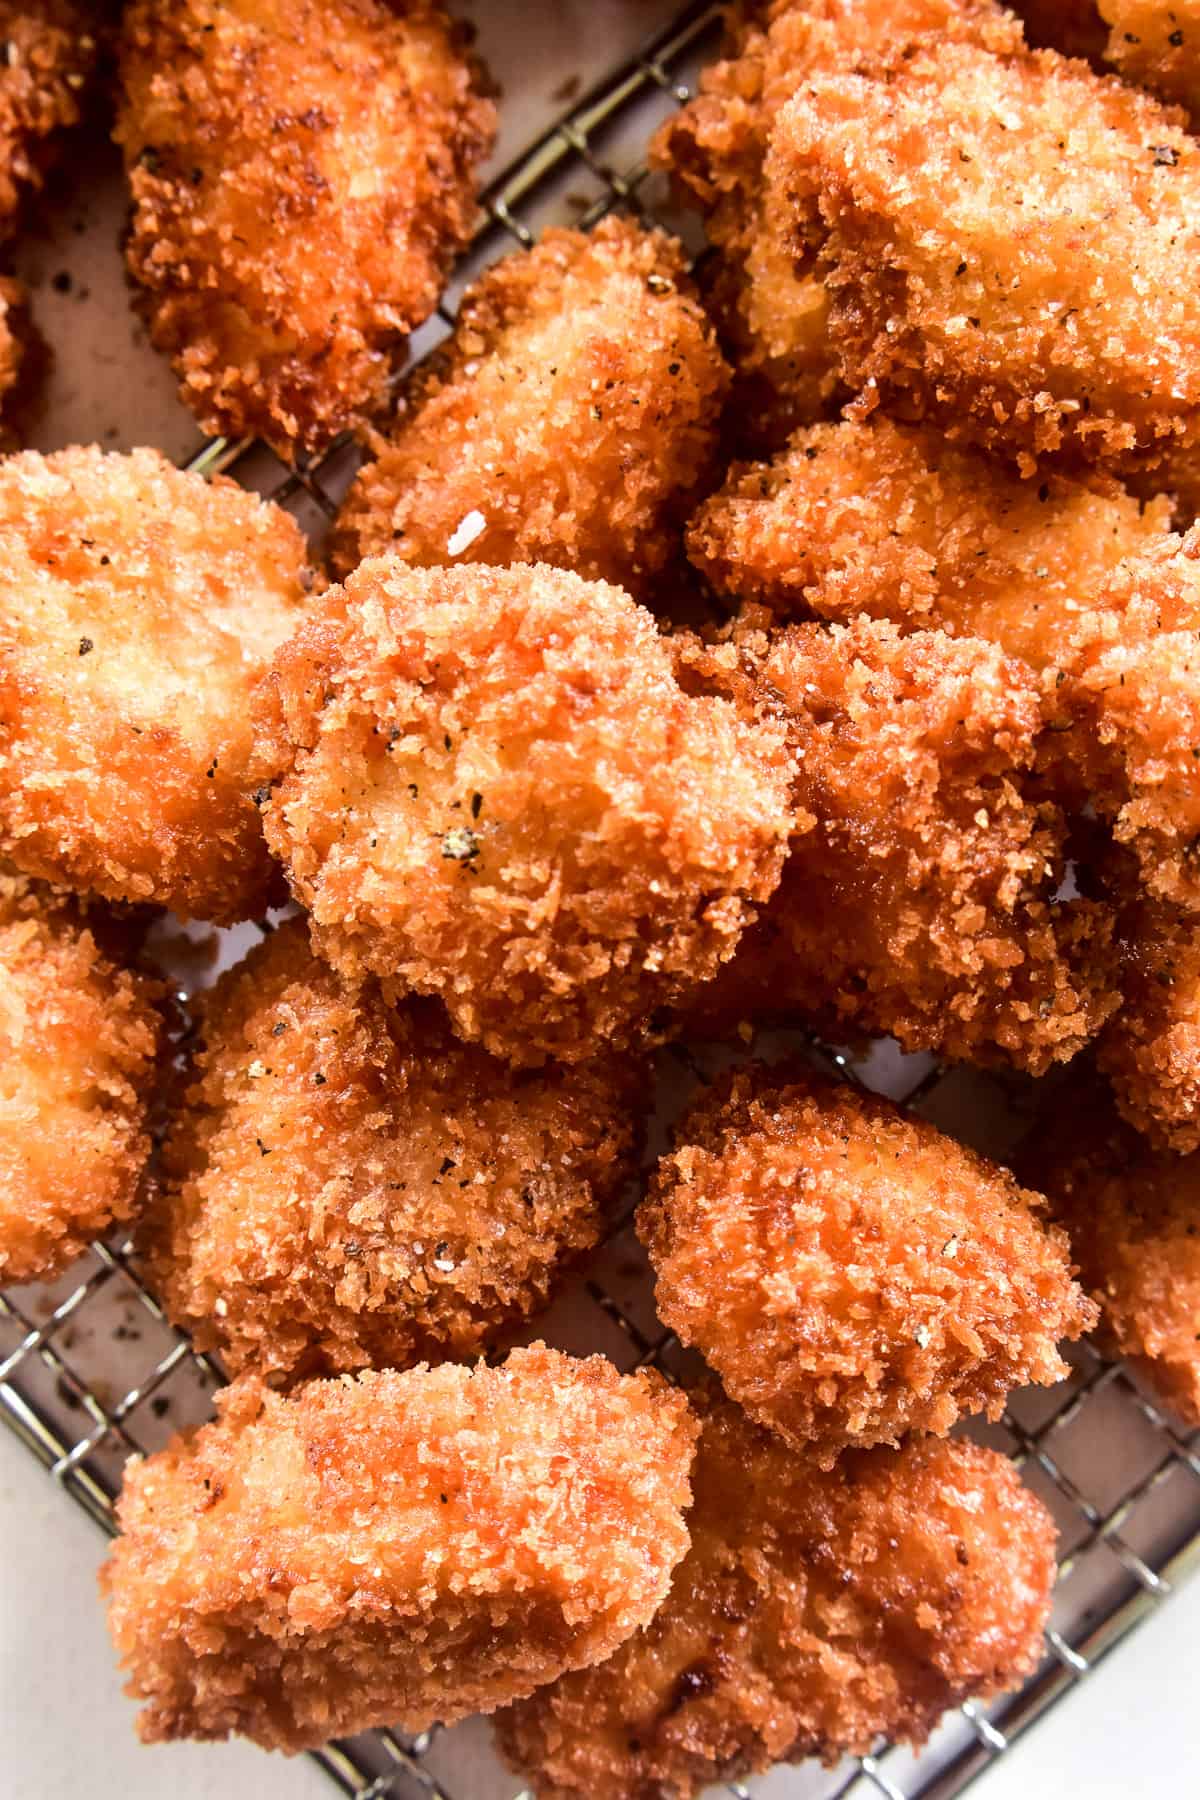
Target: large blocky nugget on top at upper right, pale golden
(1008, 247)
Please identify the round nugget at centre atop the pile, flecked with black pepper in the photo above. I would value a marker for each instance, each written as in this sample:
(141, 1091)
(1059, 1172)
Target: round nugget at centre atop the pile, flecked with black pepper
(490, 787)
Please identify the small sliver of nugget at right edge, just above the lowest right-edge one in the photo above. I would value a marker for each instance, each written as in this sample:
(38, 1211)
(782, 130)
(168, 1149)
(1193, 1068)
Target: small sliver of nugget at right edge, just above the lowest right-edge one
(1151, 1050)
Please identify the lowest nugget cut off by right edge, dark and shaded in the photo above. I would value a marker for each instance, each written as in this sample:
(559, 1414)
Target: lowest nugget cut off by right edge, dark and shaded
(1134, 1223)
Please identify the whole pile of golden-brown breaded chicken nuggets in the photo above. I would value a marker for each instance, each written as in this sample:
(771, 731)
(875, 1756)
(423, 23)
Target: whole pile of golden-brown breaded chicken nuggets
(805, 636)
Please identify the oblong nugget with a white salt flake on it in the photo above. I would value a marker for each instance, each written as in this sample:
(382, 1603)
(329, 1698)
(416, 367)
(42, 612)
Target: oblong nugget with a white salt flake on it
(571, 420)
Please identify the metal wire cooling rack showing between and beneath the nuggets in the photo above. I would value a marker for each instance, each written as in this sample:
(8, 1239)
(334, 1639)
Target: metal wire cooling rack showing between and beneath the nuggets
(91, 1372)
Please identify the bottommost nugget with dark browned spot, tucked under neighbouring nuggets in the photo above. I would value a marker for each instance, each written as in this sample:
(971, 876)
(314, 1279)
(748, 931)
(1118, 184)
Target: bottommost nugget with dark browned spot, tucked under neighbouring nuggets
(814, 1614)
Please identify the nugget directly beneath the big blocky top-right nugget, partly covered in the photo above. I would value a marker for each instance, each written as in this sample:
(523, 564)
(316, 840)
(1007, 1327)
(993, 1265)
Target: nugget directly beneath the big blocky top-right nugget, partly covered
(897, 523)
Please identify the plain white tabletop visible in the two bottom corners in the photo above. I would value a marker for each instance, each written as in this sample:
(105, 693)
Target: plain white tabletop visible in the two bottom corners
(66, 1727)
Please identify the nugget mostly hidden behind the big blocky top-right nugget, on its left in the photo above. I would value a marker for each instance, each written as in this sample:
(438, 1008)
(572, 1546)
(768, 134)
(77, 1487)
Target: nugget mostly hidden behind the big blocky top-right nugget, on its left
(771, 309)
